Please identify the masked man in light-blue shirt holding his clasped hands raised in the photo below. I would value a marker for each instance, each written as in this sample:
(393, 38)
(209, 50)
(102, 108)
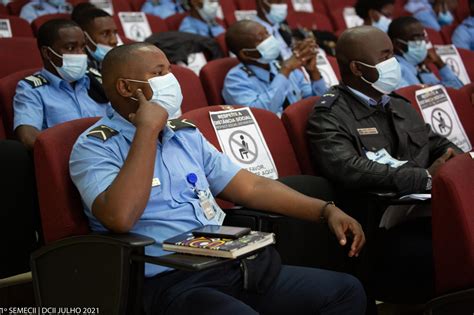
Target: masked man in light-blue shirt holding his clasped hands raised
(259, 80)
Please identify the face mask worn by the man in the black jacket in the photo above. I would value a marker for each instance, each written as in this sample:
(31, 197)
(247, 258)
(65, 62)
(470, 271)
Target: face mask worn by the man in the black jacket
(389, 75)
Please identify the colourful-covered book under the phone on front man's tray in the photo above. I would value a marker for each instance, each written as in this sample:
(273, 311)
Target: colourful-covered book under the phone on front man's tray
(218, 247)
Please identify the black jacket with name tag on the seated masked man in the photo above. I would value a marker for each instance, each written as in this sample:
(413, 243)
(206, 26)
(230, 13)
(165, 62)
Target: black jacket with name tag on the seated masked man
(342, 128)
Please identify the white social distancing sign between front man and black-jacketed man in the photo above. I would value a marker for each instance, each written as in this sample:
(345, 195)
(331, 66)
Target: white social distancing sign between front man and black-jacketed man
(242, 141)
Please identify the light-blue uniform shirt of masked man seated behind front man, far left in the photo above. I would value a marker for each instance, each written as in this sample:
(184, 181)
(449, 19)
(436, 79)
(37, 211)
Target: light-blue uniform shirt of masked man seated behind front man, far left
(54, 102)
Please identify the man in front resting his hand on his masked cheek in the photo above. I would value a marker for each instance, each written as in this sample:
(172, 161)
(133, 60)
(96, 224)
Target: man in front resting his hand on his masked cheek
(136, 172)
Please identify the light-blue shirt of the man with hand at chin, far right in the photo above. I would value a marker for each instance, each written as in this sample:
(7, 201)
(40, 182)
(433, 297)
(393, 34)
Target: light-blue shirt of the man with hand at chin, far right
(411, 76)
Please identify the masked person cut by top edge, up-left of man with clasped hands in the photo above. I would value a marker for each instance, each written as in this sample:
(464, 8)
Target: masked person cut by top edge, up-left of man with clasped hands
(202, 19)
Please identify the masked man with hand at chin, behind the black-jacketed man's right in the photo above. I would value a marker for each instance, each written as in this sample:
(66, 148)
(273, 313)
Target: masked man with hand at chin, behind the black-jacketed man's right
(409, 43)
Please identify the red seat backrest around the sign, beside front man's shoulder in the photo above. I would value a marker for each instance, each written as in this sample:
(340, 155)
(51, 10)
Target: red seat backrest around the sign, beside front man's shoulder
(272, 129)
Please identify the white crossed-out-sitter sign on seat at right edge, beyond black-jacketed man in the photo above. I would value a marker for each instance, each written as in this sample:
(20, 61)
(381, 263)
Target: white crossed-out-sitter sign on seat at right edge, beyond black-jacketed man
(438, 111)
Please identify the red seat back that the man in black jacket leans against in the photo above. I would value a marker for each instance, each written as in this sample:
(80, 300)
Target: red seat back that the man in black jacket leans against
(295, 118)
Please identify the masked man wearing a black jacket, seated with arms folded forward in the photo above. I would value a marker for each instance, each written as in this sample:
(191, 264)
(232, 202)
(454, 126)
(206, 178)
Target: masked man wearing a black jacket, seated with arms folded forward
(365, 138)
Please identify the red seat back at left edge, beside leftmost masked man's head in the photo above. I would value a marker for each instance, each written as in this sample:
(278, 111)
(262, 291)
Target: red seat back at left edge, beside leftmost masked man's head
(17, 54)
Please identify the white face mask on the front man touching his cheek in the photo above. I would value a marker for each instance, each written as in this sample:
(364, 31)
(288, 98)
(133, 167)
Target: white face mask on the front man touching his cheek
(166, 93)
